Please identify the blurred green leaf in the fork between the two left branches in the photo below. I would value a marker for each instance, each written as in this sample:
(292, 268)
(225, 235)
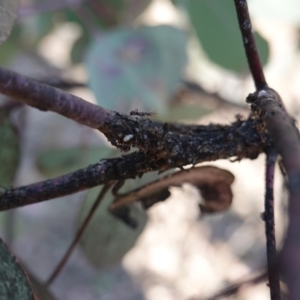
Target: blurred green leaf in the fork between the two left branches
(56, 162)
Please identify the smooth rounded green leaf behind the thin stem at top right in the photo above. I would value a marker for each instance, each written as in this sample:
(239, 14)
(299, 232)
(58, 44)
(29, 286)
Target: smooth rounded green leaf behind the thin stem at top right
(217, 28)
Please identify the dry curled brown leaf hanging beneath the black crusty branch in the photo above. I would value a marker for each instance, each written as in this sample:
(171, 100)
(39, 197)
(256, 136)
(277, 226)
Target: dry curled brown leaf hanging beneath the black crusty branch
(214, 184)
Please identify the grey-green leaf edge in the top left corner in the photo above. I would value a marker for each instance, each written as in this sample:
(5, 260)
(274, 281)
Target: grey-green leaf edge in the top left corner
(8, 14)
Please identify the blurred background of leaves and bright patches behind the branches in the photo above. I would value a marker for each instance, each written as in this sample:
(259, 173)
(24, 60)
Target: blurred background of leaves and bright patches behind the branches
(182, 60)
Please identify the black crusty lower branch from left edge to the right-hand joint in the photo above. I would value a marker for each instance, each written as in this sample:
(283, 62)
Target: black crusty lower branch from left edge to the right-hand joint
(207, 143)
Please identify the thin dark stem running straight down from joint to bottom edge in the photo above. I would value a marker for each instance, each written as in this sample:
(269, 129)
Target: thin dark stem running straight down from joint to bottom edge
(273, 274)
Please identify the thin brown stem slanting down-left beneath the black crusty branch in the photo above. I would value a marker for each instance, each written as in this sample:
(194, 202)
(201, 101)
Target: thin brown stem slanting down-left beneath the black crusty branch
(78, 235)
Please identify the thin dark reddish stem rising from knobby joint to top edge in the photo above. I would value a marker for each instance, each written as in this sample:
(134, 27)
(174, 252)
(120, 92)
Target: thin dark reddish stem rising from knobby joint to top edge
(249, 44)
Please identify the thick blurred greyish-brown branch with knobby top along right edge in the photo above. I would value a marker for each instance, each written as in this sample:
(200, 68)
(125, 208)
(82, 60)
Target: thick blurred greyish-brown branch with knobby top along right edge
(269, 109)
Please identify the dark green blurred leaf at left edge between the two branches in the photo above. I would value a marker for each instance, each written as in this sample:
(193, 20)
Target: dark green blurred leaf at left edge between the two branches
(9, 150)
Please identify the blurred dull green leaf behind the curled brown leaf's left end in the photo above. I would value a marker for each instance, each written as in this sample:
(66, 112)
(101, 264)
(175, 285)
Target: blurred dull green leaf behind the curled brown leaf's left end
(107, 239)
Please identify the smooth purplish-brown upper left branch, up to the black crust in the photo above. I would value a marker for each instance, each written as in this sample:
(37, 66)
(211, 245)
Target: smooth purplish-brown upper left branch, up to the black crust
(47, 98)
